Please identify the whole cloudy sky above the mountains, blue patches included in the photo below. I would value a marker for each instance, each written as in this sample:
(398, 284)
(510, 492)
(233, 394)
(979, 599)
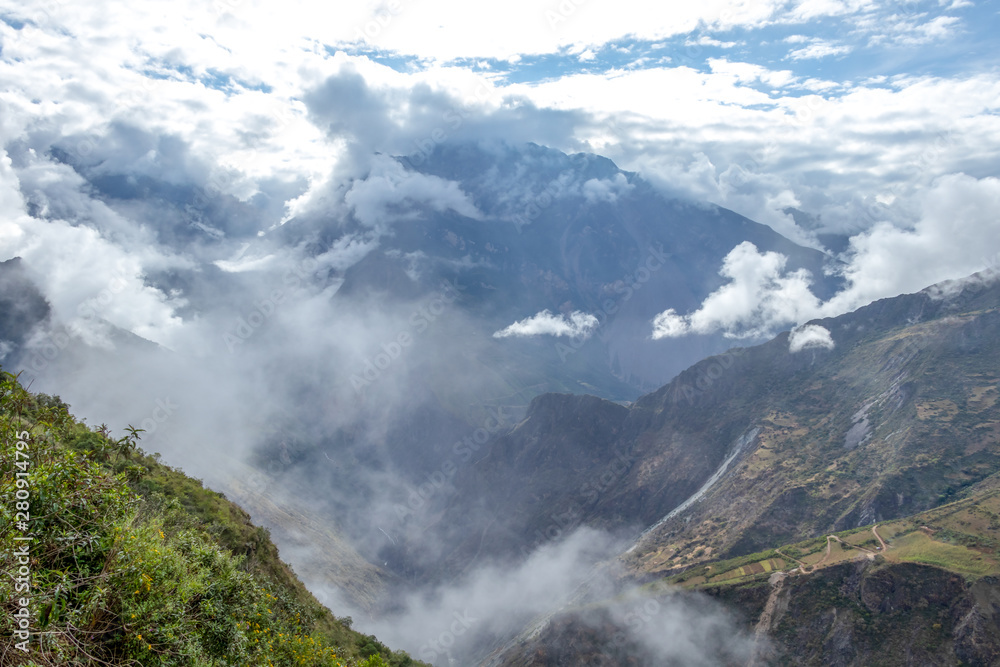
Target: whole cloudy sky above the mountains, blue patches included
(864, 116)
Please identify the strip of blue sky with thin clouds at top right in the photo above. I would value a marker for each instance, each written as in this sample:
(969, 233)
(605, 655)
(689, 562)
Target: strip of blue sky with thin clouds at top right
(920, 38)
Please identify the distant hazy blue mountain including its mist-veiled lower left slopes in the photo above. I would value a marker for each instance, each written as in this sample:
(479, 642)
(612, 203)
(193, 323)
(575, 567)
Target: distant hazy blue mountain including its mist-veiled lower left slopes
(554, 233)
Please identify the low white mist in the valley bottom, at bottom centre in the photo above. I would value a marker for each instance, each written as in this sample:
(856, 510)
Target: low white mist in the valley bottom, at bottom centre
(455, 623)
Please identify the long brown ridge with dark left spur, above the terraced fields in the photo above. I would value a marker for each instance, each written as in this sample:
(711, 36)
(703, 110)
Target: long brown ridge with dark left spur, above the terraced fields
(755, 447)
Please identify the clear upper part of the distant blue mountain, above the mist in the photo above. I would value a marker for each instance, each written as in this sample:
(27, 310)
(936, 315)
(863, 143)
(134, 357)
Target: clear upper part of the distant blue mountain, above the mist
(562, 233)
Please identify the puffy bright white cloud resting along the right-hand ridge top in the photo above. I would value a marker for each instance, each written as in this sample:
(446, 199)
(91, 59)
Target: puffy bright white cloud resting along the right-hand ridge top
(957, 233)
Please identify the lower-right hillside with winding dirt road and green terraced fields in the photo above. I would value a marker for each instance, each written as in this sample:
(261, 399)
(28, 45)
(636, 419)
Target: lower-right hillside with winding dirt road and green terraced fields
(914, 591)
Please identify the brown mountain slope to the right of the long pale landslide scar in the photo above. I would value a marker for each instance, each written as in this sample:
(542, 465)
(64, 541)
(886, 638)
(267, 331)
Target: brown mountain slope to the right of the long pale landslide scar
(898, 418)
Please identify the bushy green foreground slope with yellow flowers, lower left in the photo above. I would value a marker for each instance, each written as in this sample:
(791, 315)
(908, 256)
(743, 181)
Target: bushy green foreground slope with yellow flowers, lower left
(133, 563)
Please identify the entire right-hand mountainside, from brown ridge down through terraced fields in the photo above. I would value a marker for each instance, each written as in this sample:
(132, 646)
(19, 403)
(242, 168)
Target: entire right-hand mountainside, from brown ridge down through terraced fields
(774, 445)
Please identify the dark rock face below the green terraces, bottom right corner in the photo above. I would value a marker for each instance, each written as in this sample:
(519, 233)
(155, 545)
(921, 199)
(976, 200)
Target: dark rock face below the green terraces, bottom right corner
(867, 613)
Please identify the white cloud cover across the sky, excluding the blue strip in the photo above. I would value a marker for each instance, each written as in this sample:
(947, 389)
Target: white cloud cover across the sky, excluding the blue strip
(141, 108)
